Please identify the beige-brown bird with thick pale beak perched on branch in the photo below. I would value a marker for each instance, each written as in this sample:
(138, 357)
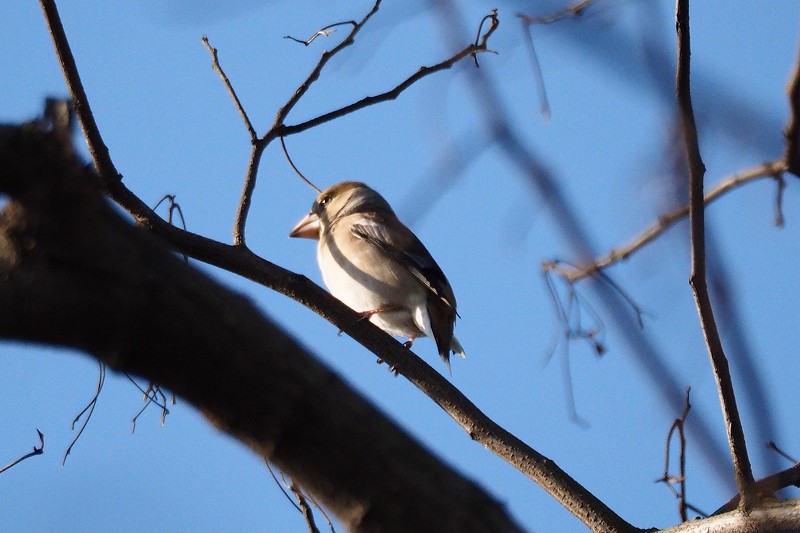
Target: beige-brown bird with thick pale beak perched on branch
(376, 266)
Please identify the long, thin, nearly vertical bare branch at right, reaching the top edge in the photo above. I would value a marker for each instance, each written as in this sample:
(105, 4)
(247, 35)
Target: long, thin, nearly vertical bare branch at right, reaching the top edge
(697, 279)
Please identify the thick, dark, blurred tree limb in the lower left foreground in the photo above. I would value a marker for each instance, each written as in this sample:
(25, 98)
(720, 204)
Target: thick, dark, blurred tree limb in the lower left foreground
(74, 273)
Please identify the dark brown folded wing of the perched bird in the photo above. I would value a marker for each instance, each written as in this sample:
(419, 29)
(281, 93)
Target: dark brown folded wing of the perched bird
(402, 246)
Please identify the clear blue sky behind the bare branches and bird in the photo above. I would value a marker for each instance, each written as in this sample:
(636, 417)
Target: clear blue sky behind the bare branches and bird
(171, 128)
